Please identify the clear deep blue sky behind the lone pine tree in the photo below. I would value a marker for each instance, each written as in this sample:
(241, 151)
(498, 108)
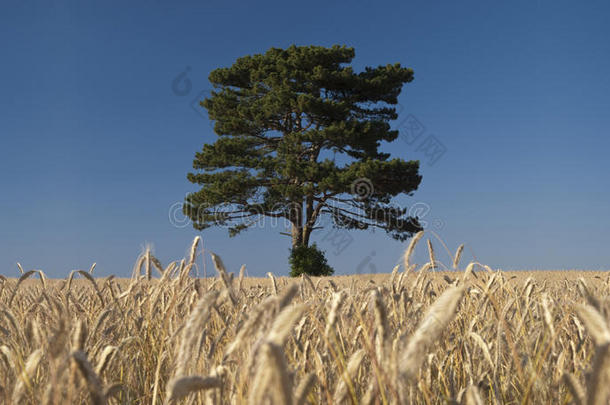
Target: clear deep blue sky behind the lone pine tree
(95, 145)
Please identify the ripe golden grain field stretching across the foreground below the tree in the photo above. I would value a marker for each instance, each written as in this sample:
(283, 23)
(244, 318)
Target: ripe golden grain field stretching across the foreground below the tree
(469, 336)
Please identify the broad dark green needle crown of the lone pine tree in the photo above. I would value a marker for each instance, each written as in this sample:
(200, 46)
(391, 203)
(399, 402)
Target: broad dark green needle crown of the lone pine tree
(298, 136)
